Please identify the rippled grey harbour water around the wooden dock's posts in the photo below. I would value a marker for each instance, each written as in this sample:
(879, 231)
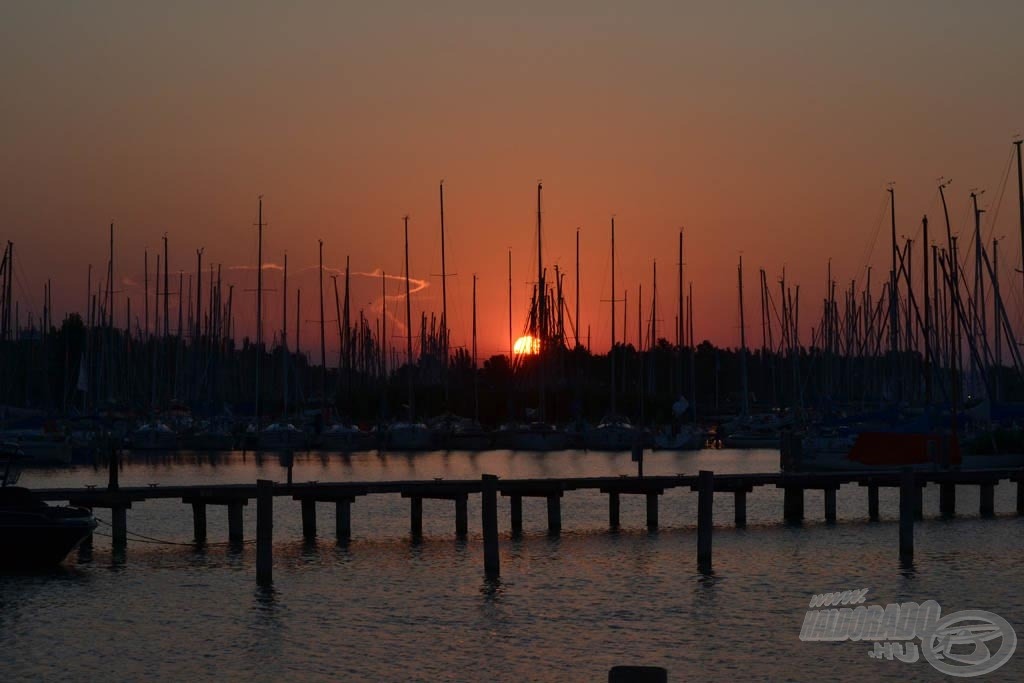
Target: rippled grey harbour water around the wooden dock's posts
(567, 609)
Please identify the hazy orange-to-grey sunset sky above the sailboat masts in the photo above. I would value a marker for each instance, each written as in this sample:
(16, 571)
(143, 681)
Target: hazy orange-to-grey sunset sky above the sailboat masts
(767, 130)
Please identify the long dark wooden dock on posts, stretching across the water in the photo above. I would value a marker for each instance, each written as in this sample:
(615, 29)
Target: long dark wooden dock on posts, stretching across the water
(344, 495)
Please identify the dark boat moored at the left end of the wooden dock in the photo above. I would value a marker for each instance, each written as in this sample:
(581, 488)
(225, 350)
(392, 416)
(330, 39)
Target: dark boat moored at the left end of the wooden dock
(36, 535)
